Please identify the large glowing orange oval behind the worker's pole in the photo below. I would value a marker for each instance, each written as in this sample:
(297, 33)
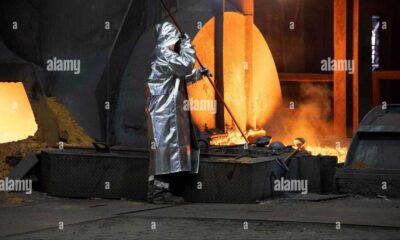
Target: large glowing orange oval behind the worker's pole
(265, 98)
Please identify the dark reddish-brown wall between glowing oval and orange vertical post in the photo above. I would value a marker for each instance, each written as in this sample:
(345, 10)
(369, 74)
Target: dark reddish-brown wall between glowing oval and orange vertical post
(298, 50)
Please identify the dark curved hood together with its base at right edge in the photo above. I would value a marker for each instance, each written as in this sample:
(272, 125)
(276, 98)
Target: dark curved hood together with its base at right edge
(372, 164)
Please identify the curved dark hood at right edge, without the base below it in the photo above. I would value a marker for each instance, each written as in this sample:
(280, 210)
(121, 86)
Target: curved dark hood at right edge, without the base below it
(376, 144)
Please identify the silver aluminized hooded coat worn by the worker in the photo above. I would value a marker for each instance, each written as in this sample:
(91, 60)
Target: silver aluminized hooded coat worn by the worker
(173, 143)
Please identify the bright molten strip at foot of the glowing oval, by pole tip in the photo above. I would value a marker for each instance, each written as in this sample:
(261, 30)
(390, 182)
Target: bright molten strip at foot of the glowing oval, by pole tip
(234, 137)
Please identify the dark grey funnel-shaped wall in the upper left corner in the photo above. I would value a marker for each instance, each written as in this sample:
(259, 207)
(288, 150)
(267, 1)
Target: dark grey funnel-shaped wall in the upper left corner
(66, 30)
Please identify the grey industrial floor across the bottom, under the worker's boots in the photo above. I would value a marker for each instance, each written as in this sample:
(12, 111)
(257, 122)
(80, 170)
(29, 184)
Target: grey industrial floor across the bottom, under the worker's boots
(39, 216)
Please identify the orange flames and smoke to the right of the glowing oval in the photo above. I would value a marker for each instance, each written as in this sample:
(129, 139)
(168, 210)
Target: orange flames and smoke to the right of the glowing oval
(310, 119)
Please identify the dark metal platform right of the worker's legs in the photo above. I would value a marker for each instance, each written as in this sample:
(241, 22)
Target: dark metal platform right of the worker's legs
(249, 180)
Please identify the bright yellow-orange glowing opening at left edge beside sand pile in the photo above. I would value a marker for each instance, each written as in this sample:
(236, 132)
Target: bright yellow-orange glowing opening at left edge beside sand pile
(16, 117)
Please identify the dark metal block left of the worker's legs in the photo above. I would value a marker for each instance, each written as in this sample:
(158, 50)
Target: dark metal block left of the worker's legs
(84, 173)
